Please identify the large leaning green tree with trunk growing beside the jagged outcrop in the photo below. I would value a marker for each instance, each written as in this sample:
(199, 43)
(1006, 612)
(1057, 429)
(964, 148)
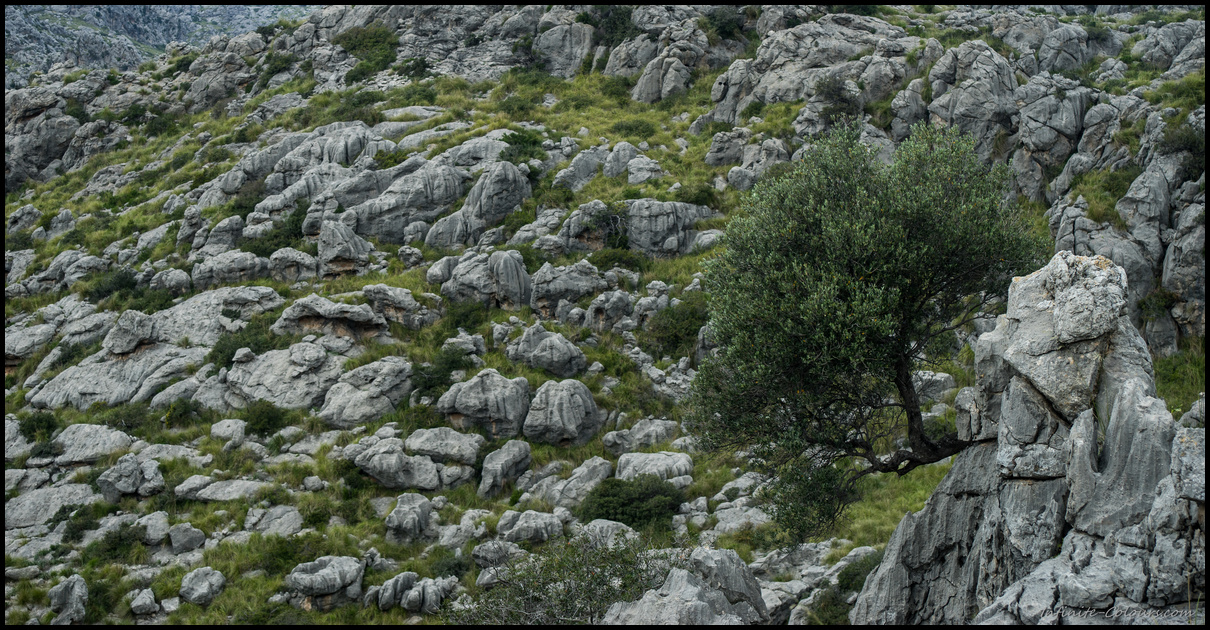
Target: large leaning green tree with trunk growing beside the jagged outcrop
(833, 282)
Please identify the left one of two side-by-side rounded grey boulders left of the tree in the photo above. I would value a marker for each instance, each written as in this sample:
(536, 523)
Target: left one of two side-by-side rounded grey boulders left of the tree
(488, 401)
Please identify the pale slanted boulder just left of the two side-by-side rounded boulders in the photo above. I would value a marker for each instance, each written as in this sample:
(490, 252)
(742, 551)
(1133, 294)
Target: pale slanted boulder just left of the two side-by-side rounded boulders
(367, 394)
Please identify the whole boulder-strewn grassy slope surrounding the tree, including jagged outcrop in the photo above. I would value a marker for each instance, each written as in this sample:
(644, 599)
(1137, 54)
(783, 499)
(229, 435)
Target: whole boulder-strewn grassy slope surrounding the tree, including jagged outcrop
(352, 317)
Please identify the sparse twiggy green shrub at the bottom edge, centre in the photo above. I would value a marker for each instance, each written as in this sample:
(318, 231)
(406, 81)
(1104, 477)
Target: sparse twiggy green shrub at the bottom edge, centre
(569, 583)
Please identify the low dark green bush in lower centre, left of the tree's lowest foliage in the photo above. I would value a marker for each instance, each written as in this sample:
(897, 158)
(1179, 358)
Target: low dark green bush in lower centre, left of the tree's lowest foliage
(647, 500)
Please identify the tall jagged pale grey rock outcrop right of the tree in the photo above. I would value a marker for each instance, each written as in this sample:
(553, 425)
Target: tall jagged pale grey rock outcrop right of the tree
(1041, 517)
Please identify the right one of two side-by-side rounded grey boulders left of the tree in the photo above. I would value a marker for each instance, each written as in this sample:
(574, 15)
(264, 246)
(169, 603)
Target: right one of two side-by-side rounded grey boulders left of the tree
(563, 413)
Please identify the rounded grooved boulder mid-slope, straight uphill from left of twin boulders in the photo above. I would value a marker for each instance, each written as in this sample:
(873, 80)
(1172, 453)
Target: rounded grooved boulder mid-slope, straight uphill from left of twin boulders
(497, 281)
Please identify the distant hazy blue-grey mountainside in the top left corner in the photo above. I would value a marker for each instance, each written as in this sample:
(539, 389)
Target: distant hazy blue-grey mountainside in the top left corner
(123, 37)
